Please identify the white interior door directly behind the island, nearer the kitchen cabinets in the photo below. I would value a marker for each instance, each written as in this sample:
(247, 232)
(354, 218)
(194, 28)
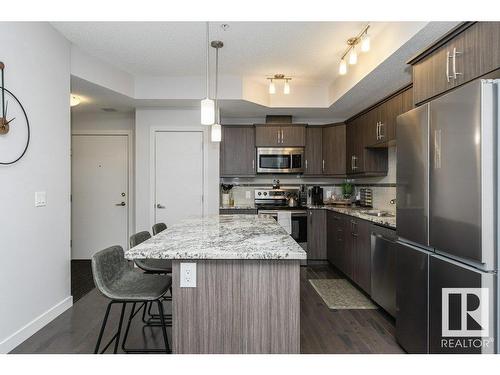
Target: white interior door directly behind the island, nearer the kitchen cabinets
(178, 175)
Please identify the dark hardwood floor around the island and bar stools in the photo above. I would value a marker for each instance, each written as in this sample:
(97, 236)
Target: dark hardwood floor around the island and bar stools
(322, 330)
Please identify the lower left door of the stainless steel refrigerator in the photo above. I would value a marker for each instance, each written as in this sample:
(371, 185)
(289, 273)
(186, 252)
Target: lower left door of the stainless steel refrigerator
(412, 290)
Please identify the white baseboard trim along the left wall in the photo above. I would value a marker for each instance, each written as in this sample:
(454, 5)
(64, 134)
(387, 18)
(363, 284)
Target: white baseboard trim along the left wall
(35, 325)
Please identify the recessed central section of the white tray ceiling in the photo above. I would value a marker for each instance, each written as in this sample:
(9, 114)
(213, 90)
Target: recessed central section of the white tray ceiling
(307, 50)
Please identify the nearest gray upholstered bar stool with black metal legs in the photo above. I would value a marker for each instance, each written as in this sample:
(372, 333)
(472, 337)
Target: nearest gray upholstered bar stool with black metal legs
(121, 283)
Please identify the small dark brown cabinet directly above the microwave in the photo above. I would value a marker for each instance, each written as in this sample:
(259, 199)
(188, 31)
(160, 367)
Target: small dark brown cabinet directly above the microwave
(285, 135)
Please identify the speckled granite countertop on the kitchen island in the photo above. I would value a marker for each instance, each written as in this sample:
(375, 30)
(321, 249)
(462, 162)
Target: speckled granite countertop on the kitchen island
(221, 237)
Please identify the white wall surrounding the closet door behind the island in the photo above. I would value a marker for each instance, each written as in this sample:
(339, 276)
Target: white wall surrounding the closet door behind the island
(148, 119)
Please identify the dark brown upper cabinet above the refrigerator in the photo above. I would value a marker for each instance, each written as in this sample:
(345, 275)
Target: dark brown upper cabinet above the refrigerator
(467, 52)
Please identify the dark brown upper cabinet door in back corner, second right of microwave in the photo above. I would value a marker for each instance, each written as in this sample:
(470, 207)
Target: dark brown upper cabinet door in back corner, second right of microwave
(334, 150)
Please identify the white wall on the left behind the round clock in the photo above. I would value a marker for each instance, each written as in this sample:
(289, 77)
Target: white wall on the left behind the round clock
(34, 242)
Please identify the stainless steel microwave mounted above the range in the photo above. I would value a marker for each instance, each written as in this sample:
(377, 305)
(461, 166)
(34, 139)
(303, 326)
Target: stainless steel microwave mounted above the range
(280, 159)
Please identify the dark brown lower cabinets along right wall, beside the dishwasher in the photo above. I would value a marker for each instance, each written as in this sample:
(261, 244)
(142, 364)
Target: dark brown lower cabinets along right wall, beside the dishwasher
(348, 247)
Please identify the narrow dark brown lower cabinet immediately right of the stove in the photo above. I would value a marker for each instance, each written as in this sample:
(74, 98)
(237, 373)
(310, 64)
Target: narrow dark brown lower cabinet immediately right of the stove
(316, 235)
